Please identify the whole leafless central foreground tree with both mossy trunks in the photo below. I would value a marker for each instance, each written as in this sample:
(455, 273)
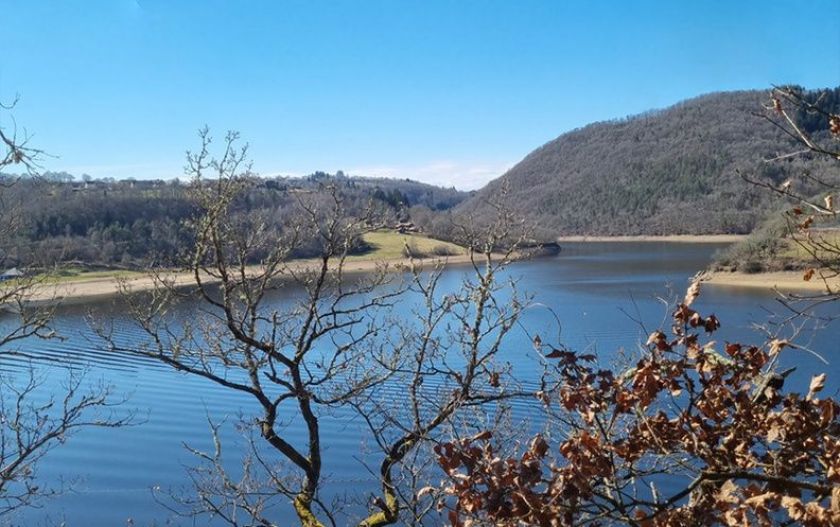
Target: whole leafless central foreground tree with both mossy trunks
(336, 348)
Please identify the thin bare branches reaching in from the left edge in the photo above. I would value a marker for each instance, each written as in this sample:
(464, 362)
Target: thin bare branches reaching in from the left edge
(31, 422)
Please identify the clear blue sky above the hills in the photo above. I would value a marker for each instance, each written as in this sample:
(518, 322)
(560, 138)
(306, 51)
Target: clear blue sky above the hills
(448, 92)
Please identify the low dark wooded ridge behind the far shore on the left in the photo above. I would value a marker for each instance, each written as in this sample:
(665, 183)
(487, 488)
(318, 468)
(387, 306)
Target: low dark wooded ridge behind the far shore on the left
(128, 223)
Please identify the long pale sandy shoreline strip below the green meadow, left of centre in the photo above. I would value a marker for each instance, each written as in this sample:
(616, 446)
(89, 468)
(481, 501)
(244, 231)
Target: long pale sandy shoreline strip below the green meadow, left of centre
(91, 290)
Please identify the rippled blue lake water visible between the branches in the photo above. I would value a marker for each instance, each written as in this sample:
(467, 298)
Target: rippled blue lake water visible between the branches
(601, 292)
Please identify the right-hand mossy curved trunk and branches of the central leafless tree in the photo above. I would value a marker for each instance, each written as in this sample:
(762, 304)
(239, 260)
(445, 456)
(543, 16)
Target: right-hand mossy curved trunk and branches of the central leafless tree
(450, 369)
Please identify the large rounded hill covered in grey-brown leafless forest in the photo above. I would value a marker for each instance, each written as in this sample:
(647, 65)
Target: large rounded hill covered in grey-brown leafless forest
(671, 171)
